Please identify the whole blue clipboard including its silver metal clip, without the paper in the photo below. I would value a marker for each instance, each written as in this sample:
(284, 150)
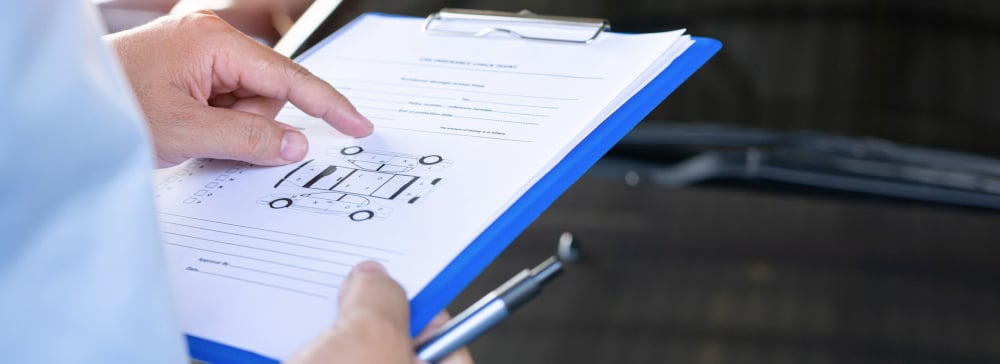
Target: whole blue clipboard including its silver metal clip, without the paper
(494, 239)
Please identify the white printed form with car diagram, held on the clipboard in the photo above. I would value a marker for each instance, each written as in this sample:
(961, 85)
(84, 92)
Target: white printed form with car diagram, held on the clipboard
(463, 127)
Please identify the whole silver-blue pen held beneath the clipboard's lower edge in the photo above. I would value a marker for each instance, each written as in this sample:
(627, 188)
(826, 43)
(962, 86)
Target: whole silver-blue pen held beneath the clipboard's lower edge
(488, 311)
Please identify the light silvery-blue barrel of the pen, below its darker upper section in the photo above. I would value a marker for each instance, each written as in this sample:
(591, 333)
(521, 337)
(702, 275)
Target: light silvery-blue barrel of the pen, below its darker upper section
(463, 332)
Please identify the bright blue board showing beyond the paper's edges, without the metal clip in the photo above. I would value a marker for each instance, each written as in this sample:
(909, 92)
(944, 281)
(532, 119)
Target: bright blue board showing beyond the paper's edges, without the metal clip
(492, 241)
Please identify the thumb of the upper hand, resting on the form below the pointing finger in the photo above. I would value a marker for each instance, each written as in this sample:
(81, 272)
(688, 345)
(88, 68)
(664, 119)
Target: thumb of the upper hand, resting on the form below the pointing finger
(232, 134)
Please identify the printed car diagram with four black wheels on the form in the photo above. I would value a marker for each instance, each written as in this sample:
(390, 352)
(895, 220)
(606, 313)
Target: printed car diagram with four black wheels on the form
(358, 184)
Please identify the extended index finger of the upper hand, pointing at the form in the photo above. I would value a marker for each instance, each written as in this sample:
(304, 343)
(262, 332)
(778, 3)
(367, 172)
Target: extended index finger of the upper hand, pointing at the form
(260, 70)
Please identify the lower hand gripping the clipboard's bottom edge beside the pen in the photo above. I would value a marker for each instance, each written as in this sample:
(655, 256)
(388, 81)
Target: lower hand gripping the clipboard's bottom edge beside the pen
(372, 325)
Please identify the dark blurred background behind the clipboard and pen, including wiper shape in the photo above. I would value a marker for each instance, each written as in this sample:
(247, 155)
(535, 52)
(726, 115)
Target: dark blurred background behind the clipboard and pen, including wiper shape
(824, 190)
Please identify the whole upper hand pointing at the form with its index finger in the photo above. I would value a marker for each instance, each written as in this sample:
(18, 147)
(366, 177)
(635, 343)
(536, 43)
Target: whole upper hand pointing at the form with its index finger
(208, 90)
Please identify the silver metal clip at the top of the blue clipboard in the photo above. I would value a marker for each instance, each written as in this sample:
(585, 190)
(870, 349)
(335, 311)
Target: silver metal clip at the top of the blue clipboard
(522, 25)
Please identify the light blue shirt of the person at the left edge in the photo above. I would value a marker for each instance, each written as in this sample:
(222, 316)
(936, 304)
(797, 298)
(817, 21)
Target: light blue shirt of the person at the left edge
(82, 272)
